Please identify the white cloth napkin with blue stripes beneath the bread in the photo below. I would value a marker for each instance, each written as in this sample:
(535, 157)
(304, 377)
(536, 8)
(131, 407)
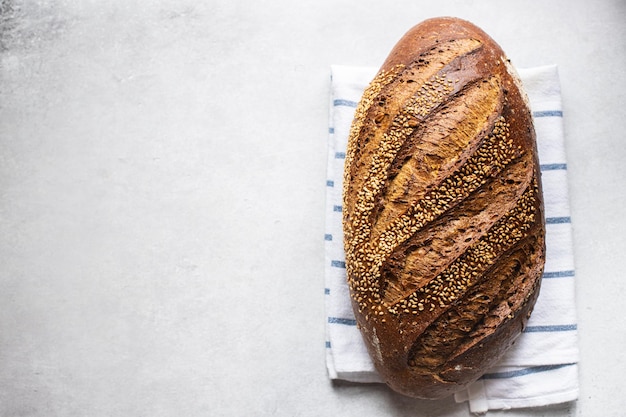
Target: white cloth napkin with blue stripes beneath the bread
(541, 368)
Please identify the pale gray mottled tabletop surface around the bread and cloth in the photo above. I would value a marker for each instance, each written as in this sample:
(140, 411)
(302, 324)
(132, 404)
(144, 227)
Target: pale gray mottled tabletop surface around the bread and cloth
(162, 180)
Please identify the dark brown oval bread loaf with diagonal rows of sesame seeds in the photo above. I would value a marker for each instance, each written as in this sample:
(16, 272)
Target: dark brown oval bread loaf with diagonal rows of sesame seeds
(444, 229)
